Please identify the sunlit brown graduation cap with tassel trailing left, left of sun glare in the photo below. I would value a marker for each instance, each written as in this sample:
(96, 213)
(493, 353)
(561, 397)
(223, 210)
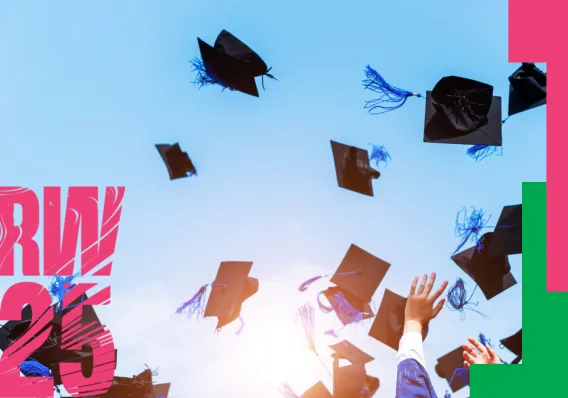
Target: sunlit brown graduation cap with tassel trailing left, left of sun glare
(232, 286)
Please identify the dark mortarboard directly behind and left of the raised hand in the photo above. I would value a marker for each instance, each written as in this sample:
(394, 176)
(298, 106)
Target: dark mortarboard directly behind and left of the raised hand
(388, 326)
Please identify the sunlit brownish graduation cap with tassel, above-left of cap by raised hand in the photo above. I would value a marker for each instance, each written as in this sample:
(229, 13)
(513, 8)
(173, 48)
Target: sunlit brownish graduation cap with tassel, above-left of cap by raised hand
(356, 281)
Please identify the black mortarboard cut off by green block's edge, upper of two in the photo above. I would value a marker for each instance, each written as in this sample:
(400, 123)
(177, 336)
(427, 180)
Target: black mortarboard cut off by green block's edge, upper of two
(507, 237)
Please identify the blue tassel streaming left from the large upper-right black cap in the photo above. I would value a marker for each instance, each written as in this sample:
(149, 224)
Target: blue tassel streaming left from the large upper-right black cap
(389, 94)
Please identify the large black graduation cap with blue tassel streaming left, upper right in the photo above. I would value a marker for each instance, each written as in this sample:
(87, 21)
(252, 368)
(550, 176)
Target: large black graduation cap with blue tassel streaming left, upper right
(458, 110)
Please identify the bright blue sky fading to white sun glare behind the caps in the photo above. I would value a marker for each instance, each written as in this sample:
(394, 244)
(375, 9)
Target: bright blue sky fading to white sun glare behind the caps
(89, 87)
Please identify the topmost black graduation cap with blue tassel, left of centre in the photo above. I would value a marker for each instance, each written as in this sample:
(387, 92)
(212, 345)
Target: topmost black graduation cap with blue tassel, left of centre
(231, 64)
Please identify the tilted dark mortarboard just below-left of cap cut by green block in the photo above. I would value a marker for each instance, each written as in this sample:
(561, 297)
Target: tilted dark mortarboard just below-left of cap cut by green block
(491, 273)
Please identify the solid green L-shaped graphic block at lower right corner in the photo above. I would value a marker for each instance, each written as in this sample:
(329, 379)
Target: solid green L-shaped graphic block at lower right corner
(544, 320)
